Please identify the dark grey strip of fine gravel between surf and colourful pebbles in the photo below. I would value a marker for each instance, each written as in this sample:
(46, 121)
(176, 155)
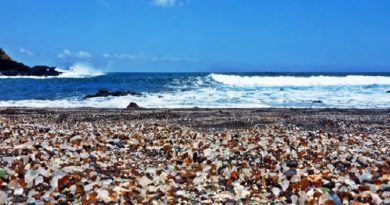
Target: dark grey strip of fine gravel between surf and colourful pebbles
(217, 118)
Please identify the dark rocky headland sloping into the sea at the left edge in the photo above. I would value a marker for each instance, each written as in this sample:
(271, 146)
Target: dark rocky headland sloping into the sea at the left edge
(9, 67)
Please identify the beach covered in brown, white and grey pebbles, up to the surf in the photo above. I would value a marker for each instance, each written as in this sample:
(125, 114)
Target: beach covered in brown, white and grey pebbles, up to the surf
(195, 156)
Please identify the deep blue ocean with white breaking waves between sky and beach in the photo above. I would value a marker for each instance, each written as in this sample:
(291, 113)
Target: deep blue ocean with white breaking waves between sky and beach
(202, 90)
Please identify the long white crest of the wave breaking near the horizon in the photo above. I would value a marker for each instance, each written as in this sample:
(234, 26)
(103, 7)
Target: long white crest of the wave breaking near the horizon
(275, 81)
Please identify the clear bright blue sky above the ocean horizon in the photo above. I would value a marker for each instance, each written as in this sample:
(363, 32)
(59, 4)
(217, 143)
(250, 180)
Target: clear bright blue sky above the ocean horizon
(200, 35)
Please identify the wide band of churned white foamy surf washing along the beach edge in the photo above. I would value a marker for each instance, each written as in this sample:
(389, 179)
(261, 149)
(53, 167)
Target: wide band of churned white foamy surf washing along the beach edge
(215, 98)
